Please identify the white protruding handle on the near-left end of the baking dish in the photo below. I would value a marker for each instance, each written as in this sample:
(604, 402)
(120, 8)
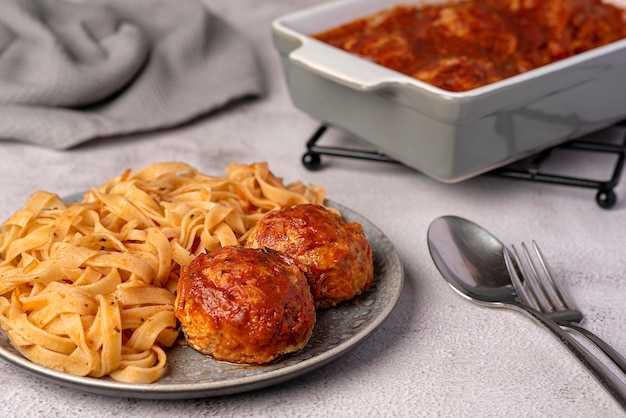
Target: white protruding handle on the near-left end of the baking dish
(342, 67)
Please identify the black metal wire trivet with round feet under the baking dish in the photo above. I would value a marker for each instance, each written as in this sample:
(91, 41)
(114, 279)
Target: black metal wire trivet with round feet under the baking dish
(527, 169)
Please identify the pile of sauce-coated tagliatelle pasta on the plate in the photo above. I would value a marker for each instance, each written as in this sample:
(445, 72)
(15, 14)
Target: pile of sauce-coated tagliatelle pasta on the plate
(88, 288)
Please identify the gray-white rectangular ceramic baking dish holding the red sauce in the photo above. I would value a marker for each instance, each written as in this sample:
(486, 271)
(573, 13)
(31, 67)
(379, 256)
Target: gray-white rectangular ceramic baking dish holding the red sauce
(448, 136)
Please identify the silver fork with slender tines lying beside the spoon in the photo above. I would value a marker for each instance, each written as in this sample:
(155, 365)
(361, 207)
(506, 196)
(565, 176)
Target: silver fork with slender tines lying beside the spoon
(540, 291)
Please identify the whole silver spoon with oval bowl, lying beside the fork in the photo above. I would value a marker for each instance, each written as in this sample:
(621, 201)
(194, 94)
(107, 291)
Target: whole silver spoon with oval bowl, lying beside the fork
(474, 262)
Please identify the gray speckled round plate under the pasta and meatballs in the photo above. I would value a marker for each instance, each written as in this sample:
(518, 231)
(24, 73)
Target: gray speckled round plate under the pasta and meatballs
(190, 374)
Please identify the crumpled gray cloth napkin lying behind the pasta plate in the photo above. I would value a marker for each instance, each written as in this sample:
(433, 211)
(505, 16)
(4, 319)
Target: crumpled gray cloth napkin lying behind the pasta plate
(73, 71)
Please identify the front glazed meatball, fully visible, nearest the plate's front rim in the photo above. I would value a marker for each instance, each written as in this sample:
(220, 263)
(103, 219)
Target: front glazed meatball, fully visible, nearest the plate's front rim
(245, 305)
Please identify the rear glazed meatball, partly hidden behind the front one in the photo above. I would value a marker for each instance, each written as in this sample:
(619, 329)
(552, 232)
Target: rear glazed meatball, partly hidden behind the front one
(335, 254)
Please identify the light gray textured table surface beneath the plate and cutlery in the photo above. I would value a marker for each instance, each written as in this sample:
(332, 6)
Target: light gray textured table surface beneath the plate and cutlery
(437, 354)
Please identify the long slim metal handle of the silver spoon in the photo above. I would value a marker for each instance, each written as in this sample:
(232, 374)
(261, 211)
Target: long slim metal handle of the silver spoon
(599, 370)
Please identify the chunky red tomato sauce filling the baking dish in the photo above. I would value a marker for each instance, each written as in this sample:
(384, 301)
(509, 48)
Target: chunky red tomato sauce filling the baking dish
(459, 46)
